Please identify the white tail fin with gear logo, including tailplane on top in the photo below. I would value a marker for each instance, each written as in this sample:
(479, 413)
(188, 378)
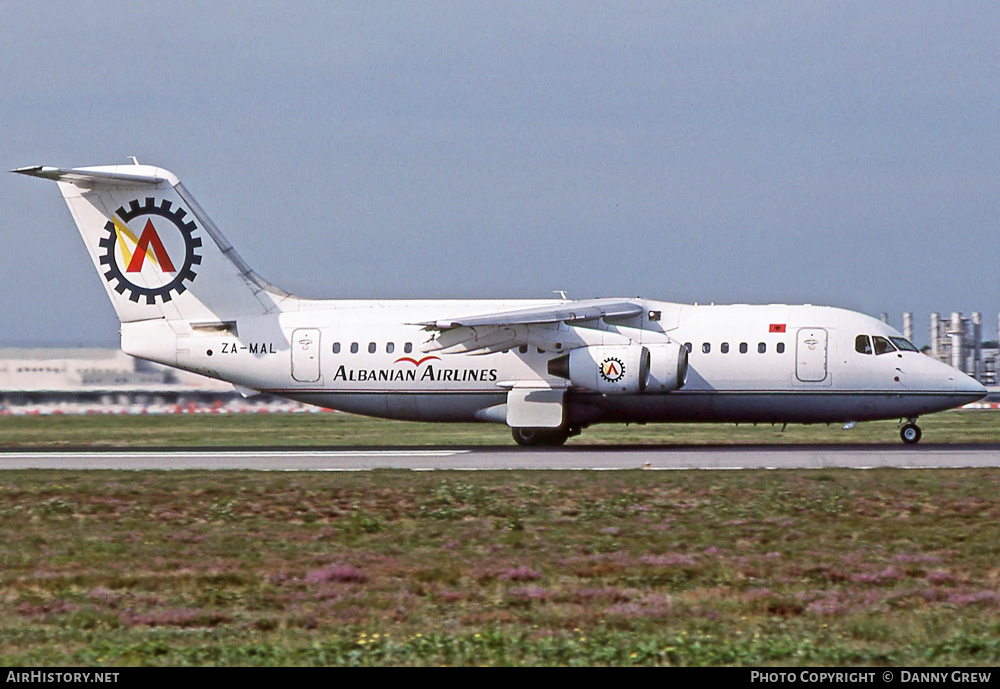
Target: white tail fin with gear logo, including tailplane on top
(159, 254)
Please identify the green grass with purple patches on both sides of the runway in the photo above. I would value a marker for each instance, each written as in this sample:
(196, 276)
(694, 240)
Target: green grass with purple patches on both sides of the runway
(826, 567)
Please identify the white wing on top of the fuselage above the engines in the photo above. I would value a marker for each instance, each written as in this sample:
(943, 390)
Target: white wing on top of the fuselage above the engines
(549, 327)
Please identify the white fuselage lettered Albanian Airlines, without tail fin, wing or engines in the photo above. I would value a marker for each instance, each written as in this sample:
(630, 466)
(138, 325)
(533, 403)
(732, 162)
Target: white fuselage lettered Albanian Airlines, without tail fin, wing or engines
(774, 363)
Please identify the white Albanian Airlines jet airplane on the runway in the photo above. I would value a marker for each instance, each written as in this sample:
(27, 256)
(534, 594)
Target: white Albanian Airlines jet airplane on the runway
(546, 368)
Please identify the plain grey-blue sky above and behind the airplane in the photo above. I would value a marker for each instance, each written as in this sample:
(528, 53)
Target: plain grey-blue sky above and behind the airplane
(843, 153)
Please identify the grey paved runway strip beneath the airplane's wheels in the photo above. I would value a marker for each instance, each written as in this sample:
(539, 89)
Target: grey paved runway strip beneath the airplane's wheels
(660, 458)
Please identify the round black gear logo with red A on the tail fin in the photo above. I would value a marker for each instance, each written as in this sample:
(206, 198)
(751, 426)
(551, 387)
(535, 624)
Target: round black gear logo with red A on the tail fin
(150, 250)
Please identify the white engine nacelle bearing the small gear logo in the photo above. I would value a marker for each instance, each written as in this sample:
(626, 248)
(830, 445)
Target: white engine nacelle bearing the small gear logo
(611, 369)
